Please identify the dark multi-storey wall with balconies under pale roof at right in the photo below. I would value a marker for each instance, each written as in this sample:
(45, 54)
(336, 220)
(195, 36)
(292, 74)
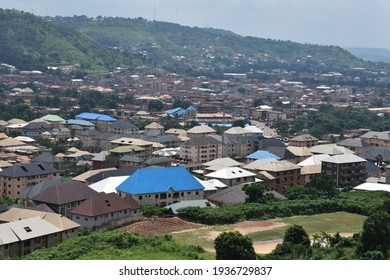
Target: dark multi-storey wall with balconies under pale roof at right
(345, 174)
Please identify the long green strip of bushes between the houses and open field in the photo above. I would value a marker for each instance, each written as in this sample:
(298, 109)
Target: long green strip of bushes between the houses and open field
(353, 202)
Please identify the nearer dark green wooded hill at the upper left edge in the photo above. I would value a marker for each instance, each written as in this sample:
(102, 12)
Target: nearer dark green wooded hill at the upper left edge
(28, 42)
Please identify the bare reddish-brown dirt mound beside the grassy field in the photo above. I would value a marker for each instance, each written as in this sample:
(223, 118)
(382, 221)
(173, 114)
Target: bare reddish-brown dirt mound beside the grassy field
(157, 226)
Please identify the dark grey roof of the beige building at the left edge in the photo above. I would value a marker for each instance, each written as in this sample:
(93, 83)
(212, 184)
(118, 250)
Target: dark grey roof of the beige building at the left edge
(29, 169)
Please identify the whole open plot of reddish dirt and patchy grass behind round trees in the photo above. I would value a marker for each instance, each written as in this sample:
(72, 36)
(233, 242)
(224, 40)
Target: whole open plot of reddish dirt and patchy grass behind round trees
(264, 234)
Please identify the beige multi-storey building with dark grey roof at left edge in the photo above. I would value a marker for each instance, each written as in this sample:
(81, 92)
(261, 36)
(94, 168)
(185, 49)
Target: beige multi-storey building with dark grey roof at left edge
(17, 178)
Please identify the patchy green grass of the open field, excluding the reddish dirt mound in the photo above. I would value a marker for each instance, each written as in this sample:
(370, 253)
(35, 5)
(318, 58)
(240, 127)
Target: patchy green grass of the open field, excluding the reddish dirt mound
(341, 222)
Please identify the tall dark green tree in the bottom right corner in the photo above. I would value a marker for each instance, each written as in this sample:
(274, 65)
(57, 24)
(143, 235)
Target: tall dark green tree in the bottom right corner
(376, 234)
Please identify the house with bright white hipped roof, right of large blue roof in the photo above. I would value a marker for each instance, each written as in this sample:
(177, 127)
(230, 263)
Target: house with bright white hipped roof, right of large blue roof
(232, 176)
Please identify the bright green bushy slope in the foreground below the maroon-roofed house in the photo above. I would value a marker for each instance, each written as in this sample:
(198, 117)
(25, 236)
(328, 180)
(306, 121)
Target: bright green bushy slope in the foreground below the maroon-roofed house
(117, 245)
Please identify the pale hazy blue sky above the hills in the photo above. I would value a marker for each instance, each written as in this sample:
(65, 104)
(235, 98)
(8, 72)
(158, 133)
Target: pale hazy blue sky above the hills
(345, 23)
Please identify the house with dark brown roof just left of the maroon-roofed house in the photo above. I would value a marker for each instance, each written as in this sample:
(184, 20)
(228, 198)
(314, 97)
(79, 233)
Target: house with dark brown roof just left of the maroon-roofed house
(62, 198)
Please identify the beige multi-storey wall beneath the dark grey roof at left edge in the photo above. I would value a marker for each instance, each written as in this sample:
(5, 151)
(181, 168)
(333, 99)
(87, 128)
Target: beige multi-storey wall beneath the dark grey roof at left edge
(14, 186)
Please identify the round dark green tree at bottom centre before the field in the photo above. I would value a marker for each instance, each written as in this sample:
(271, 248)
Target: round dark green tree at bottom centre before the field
(234, 246)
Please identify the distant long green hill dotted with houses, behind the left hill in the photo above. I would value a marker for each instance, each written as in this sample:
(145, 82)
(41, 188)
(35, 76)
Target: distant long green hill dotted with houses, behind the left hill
(188, 48)
